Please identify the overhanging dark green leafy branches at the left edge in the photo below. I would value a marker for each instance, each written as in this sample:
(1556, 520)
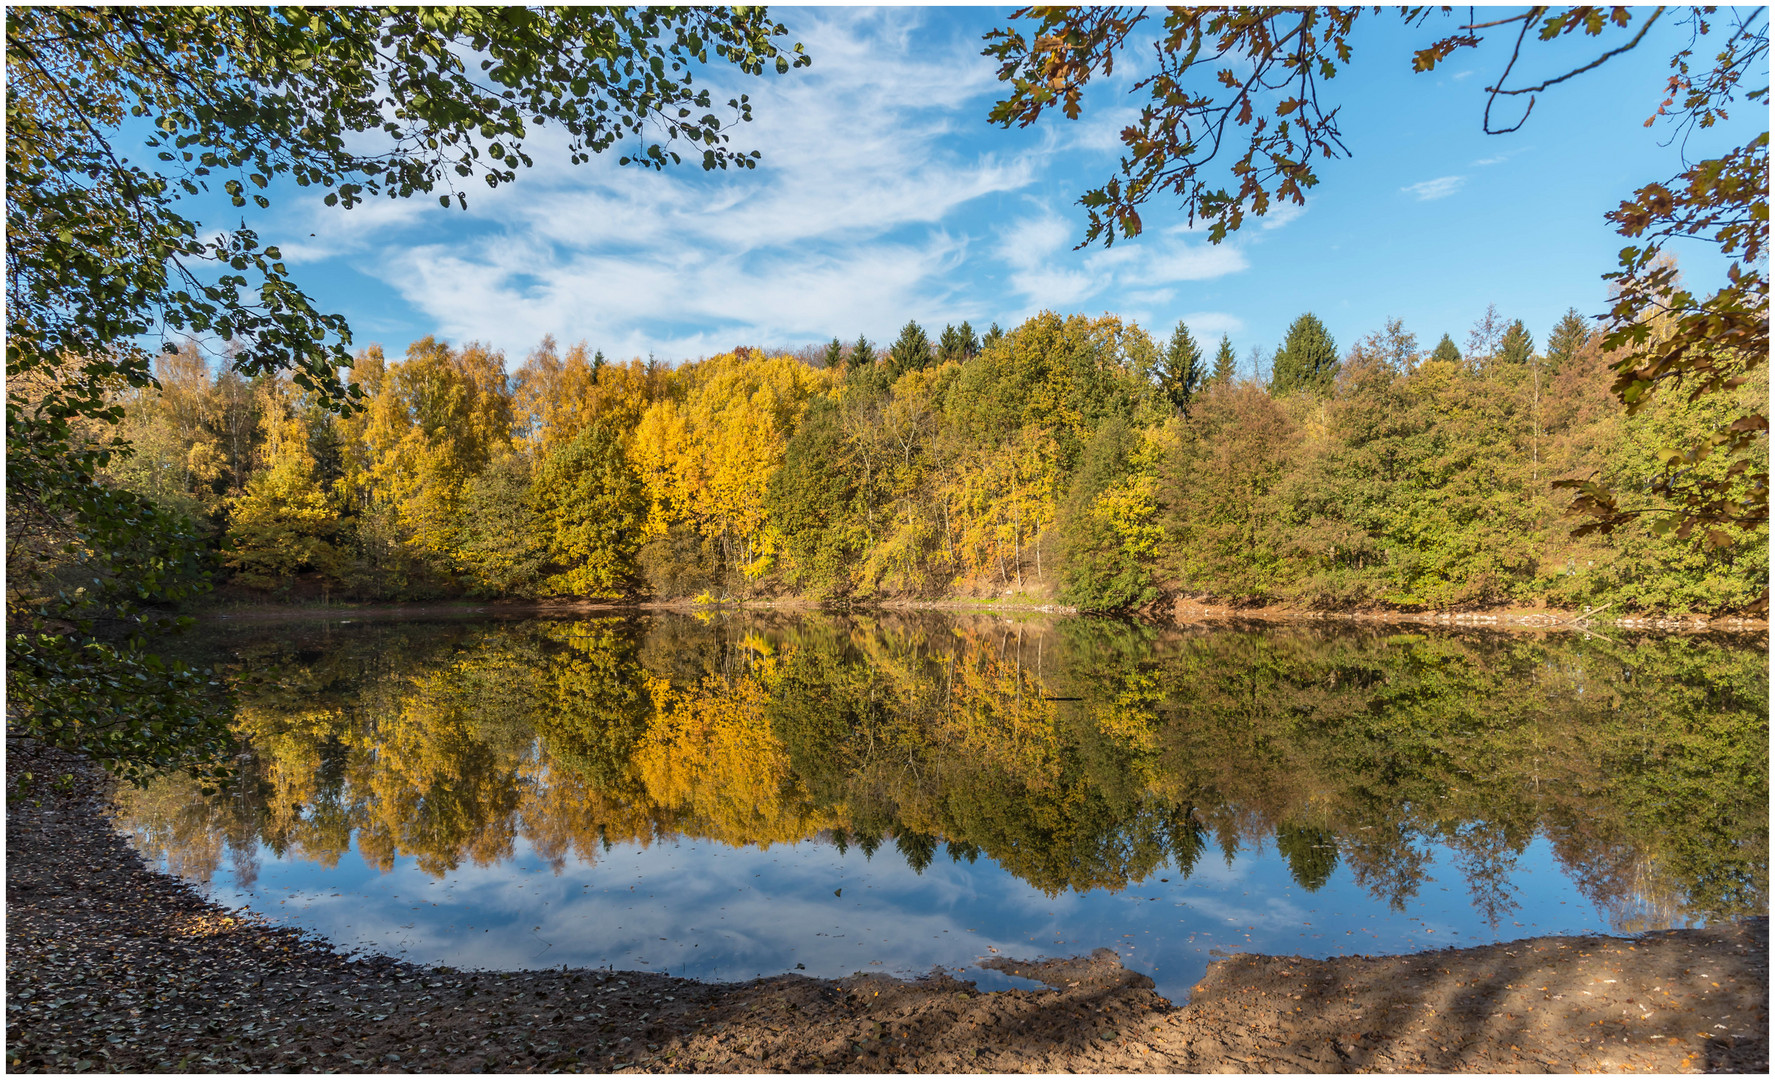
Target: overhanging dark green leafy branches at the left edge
(100, 253)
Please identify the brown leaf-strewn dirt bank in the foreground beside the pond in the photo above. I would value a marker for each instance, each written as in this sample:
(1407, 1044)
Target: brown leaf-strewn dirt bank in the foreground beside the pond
(114, 967)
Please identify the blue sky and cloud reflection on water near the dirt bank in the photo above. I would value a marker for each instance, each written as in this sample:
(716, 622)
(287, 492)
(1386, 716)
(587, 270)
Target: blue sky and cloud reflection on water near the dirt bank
(711, 912)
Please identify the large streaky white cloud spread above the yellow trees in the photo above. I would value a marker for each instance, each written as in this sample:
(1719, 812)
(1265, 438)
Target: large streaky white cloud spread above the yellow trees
(865, 210)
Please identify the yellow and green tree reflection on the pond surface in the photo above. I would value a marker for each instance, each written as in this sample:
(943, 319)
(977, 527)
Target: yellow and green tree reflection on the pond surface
(1082, 756)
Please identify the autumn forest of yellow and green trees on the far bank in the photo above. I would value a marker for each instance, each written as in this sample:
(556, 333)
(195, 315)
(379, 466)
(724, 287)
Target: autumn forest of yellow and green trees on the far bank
(1073, 459)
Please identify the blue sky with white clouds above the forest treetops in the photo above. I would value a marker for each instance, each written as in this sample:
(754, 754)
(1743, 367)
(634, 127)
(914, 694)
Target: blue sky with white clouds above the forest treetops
(885, 195)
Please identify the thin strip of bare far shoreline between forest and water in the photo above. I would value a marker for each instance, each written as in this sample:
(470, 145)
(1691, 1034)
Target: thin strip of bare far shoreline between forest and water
(1179, 614)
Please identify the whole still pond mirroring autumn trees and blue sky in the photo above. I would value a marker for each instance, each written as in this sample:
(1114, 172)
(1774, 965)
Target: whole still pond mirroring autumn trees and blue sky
(739, 795)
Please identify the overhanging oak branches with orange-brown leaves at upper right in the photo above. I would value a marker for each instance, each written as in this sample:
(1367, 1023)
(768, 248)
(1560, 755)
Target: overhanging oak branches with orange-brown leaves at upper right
(1288, 60)
